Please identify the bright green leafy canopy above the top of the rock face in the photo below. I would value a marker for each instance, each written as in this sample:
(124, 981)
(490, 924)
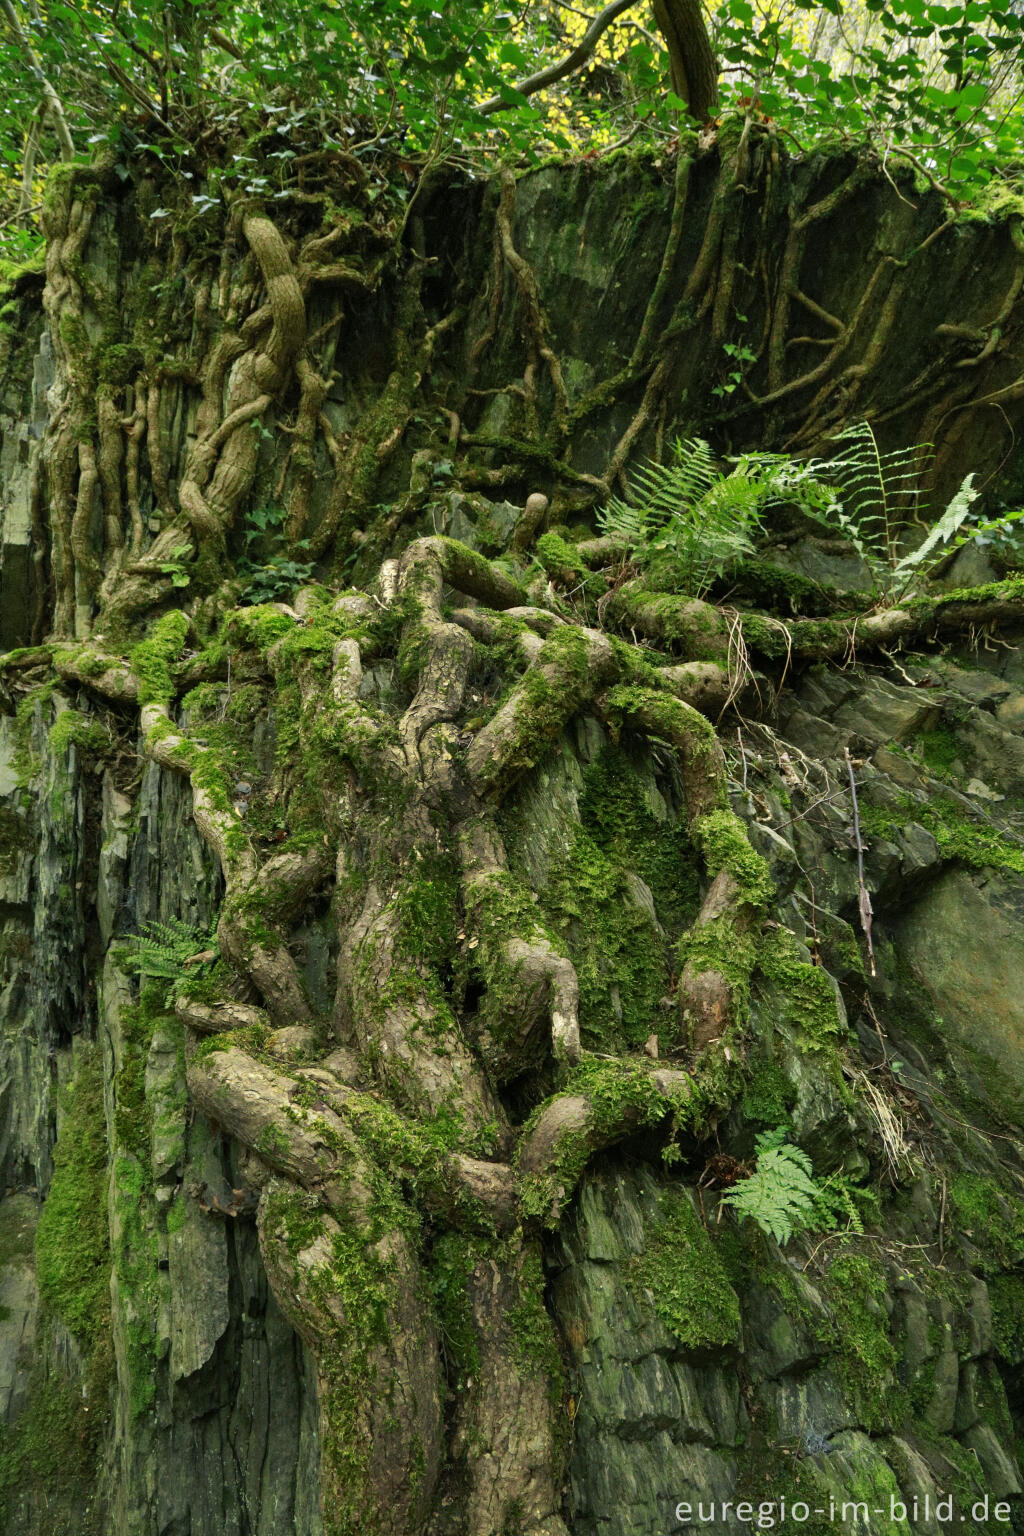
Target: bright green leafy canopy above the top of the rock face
(937, 84)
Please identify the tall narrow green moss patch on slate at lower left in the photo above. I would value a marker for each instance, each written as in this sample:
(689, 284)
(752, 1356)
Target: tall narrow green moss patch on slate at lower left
(73, 1251)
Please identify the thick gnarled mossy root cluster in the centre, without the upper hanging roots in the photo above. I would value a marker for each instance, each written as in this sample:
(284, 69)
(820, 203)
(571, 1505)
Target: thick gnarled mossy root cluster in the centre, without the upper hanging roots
(345, 1164)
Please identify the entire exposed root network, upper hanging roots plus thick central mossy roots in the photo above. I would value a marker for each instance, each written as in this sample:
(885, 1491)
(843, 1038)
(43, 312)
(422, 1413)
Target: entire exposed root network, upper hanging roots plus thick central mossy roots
(448, 1087)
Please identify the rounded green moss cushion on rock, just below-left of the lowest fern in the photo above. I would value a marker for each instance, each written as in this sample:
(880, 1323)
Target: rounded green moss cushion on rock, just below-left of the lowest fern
(684, 1279)
